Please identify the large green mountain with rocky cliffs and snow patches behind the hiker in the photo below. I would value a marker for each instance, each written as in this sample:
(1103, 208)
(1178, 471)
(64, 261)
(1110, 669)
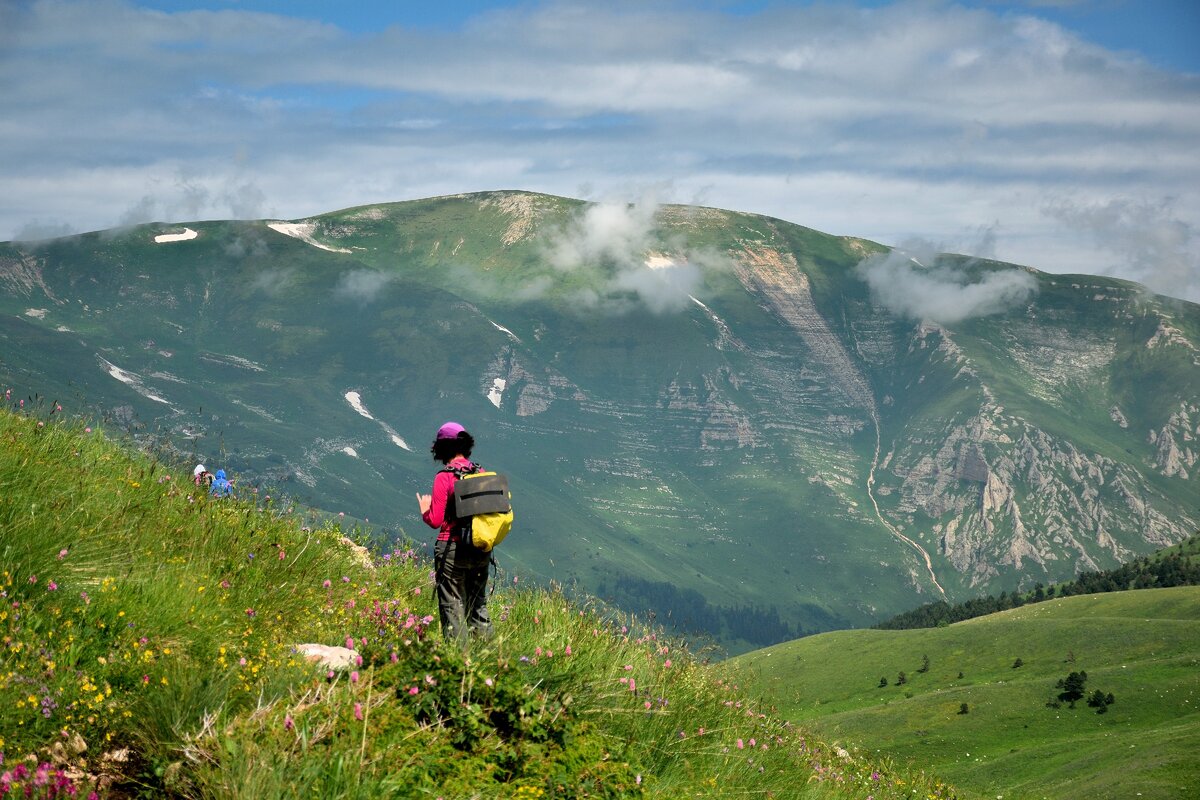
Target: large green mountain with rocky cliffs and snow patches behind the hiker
(689, 401)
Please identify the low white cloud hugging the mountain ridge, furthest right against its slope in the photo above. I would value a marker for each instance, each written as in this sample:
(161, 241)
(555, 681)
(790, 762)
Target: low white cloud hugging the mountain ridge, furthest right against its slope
(910, 282)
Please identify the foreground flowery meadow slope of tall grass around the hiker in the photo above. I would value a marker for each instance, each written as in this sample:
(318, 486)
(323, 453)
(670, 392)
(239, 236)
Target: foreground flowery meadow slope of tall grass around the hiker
(151, 649)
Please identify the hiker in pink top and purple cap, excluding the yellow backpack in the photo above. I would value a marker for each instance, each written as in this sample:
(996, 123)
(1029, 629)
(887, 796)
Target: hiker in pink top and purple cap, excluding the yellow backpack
(460, 568)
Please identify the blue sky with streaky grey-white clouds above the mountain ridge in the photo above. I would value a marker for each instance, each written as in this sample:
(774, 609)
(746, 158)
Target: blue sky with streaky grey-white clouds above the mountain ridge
(1064, 135)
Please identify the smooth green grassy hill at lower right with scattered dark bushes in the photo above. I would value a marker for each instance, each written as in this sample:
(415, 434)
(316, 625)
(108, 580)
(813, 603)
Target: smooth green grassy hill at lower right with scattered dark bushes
(1143, 647)
